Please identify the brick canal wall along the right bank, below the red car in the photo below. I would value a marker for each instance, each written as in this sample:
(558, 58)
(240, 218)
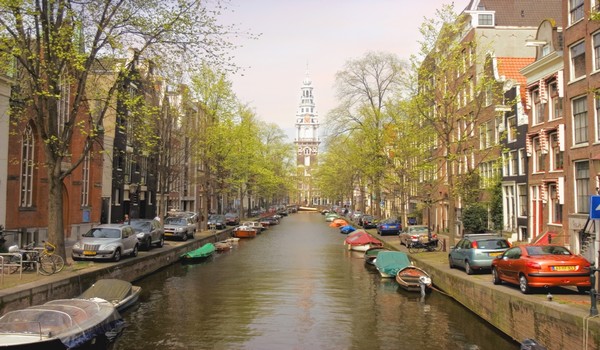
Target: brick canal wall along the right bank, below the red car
(556, 326)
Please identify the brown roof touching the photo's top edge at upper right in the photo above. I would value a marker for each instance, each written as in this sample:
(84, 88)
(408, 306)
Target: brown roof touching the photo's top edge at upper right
(519, 13)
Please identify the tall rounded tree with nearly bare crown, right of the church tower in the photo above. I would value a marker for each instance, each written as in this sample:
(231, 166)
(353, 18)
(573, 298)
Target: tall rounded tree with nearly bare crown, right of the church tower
(364, 87)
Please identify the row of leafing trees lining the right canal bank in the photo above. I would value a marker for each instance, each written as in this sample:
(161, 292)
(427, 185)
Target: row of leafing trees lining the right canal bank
(409, 130)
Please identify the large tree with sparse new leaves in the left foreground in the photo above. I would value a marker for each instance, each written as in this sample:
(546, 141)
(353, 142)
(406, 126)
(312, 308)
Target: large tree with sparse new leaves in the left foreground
(59, 43)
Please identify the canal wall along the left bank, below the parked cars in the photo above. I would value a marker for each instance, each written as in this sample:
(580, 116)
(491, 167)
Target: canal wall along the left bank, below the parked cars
(69, 284)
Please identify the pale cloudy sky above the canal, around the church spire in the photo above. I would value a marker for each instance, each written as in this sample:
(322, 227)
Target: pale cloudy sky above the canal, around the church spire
(318, 36)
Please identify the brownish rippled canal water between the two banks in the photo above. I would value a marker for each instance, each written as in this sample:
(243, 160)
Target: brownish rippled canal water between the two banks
(295, 286)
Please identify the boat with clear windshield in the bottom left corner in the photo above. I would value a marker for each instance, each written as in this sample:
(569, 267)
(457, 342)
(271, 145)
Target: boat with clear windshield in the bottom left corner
(61, 324)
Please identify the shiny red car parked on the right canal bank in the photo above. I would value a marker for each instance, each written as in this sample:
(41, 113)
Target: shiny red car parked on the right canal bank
(532, 266)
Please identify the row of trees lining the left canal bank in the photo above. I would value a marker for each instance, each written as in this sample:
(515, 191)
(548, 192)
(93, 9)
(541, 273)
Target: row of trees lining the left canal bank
(52, 48)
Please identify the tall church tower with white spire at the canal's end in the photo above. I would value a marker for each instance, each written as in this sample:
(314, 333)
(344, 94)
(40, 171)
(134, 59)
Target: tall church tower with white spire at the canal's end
(307, 144)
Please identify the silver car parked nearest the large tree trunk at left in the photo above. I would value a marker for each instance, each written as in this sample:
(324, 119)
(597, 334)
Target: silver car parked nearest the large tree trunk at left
(106, 242)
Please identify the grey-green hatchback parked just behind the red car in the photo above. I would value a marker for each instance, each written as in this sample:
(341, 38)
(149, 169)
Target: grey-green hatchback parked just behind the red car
(476, 251)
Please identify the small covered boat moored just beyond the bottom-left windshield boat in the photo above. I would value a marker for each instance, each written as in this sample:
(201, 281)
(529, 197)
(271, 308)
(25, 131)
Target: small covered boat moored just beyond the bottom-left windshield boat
(120, 293)
